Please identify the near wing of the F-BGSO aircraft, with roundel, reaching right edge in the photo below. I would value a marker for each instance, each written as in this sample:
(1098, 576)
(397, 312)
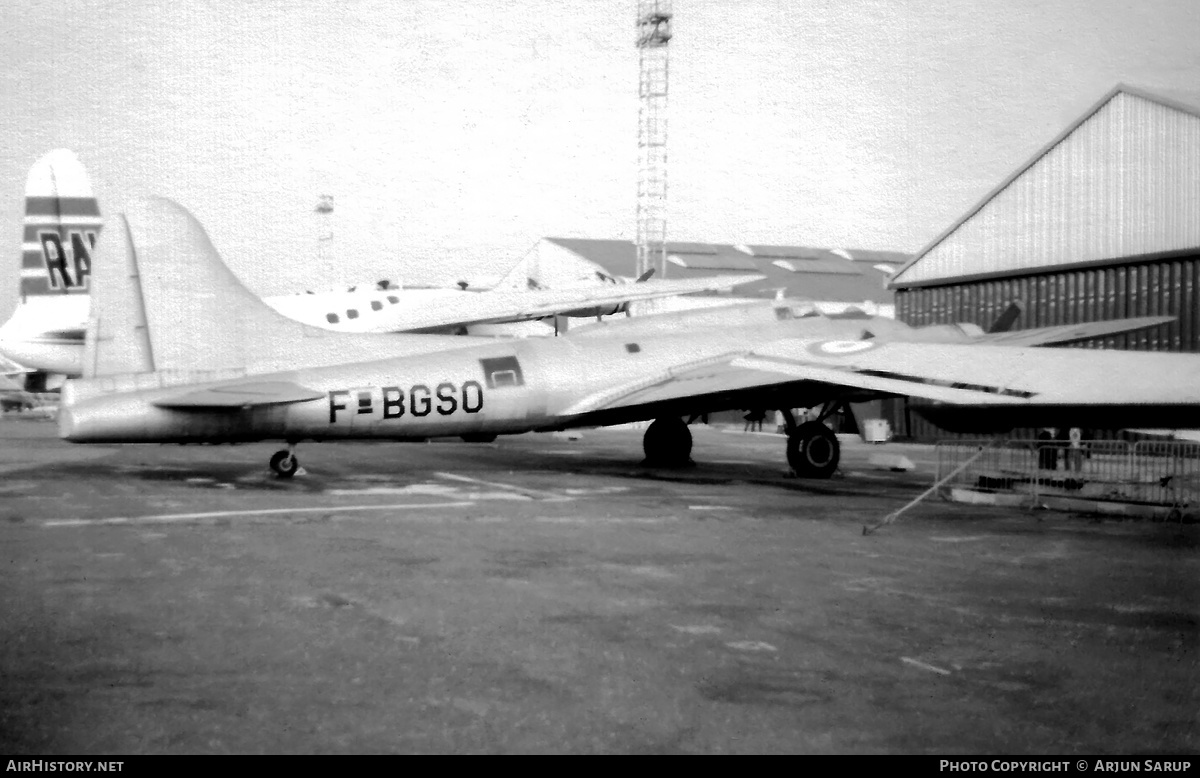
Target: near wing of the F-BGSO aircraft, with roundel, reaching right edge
(959, 374)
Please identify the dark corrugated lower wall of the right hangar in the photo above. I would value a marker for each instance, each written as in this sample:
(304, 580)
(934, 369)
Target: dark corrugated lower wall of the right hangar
(1168, 288)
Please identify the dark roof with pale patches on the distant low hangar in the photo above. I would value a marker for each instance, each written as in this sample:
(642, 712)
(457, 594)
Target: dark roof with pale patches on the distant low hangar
(843, 276)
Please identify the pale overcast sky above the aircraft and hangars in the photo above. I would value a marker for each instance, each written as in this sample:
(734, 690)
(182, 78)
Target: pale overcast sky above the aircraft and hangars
(453, 135)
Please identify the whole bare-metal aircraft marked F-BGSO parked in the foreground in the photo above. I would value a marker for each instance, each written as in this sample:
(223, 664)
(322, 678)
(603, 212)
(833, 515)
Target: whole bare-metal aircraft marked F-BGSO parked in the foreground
(151, 380)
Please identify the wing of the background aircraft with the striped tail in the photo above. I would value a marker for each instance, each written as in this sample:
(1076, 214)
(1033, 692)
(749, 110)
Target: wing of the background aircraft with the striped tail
(491, 308)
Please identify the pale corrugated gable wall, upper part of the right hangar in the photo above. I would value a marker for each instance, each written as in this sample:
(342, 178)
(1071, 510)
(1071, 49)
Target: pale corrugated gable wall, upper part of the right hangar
(1124, 183)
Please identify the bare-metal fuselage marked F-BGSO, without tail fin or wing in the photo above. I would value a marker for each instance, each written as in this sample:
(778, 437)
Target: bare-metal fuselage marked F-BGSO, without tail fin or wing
(503, 388)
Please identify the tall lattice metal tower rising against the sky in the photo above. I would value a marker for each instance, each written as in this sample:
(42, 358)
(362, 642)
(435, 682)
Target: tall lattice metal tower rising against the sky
(653, 35)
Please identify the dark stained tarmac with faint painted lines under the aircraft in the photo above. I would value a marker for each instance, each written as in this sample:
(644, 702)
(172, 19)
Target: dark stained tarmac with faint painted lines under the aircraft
(545, 595)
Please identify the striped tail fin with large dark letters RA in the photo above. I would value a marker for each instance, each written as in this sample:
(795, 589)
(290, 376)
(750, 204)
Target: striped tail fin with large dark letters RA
(62, 226)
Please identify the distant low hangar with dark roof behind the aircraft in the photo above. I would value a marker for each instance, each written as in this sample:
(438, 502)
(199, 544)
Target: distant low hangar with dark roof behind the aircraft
(838, 280)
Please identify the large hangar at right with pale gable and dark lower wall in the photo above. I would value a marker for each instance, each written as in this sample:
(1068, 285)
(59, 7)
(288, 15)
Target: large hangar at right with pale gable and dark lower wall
(1103, 223)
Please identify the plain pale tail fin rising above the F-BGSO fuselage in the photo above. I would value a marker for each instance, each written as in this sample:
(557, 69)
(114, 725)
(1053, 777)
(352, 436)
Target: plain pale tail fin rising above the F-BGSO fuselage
(166, 303)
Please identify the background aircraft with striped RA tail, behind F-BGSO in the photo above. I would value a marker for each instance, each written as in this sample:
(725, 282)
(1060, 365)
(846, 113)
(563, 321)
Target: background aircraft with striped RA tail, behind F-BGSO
(63, 223)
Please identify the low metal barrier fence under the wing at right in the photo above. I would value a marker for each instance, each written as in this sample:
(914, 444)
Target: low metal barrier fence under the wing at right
(1151, 474)
